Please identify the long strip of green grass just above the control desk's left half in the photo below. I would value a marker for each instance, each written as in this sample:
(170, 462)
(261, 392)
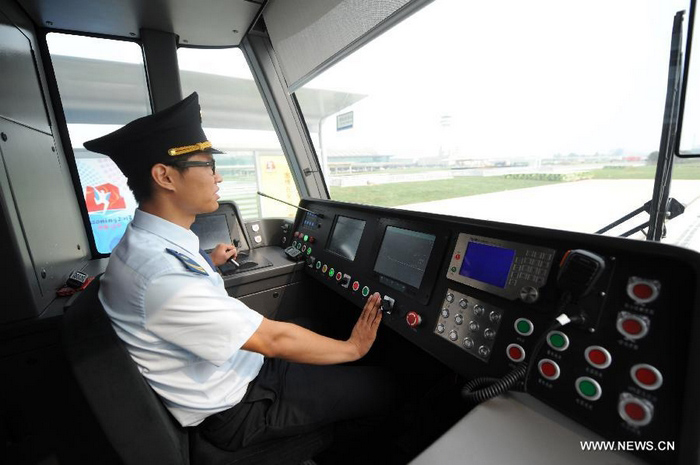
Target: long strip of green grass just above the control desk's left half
(402, 193)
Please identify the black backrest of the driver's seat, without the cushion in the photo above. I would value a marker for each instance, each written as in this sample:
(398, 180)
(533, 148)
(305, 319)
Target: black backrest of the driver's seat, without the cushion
(133, 418)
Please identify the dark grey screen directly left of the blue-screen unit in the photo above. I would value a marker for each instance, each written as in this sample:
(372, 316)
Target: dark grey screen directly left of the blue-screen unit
(404, 255)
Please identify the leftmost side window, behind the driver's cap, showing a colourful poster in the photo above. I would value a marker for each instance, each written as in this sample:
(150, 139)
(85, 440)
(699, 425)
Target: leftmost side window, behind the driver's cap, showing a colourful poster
(102, 83)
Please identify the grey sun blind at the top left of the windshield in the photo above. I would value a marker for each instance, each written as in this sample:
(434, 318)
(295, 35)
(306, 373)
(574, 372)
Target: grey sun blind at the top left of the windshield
(309, 35)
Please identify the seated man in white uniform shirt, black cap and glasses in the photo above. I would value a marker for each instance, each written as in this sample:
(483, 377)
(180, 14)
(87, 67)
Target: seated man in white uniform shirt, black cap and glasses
(213, 361)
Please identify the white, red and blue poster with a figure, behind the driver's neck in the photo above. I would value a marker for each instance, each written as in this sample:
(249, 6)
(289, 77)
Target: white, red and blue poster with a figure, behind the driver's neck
(109, 201)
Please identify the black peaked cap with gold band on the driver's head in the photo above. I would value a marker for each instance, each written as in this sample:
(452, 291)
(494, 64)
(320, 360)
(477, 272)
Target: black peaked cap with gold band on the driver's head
(158, 138)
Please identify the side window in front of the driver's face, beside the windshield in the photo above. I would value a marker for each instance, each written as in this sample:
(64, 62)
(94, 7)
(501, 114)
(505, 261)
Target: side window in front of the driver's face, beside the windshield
(237, 123)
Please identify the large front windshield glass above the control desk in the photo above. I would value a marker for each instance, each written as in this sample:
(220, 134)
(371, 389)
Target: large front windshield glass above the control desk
(539, 113)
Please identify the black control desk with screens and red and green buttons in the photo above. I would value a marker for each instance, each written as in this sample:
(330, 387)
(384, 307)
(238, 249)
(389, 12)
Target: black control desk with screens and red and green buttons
(482, 298)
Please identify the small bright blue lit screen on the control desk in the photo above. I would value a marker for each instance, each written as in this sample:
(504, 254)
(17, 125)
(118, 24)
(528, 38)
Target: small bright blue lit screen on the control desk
(487, 263)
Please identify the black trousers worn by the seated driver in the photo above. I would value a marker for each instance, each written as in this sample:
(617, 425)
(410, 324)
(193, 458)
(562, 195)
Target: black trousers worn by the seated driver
(289, 398)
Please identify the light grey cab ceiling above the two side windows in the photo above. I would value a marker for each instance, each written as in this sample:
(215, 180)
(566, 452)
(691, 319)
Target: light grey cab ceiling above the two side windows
(201, 22)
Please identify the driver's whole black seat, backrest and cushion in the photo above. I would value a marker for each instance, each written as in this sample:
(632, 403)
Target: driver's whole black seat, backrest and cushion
(134, 419)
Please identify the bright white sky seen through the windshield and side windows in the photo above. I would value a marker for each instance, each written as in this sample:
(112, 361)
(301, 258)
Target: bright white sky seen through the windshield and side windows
(481, 79)
